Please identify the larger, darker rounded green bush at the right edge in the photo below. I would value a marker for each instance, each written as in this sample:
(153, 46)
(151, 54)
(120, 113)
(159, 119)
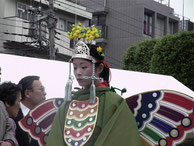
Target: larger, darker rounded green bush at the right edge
(174, 55)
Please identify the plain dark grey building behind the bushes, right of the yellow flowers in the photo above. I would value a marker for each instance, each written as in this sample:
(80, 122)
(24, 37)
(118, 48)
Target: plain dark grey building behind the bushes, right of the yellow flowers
(126, 22)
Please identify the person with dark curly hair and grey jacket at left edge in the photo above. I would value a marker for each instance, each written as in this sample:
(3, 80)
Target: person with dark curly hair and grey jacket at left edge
(10, 97)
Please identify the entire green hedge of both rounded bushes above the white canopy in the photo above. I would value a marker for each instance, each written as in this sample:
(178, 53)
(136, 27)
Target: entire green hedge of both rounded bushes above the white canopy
(171, 55)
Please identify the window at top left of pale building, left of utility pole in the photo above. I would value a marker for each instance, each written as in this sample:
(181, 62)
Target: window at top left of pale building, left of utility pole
(22, 11)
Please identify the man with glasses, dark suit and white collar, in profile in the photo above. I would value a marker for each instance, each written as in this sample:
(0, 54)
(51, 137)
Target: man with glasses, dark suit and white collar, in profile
(33, 93)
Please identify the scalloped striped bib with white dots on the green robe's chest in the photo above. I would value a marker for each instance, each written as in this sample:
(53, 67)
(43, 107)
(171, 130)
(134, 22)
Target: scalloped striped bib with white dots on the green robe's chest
(80, 122)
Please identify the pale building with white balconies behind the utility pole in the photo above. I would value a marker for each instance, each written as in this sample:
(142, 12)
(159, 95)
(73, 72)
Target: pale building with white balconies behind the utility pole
(24, 27)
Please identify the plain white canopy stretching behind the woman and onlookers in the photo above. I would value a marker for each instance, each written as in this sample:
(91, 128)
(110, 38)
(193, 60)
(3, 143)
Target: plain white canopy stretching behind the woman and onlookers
(54, 75)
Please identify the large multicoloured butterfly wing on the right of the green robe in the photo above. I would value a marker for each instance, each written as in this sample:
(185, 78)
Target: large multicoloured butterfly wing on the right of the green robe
(163, 117)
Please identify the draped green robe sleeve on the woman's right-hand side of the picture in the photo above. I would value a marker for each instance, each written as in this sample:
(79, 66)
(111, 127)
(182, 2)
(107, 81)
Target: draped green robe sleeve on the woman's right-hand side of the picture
(120, 130)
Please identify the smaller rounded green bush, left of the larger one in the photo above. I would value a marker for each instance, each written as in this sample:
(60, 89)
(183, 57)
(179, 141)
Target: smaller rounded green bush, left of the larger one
(138, 57)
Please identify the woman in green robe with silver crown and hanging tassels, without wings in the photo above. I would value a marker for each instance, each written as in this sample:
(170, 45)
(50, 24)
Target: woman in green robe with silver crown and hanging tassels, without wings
(94, 115)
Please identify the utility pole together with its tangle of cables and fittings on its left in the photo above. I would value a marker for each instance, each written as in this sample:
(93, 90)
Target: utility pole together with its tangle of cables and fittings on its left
(47, 16)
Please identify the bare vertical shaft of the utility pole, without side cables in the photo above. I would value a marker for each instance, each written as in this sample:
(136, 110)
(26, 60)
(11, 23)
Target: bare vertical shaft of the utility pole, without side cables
(51, 27)
